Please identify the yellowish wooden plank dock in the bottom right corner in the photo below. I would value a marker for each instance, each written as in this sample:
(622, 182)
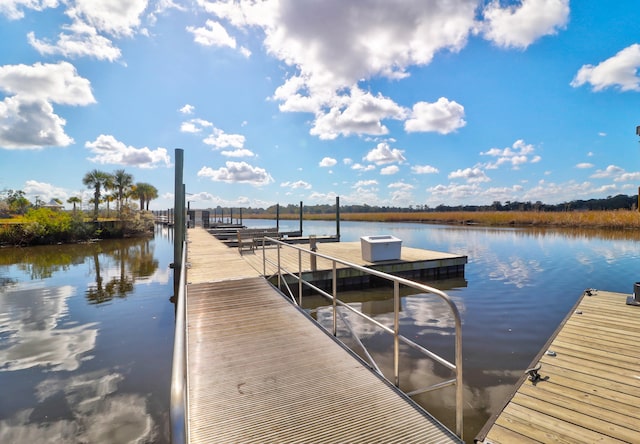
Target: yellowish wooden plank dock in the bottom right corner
(589, 387)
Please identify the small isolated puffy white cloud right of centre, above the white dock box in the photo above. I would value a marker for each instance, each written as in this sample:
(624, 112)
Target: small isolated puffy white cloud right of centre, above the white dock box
(443, 116)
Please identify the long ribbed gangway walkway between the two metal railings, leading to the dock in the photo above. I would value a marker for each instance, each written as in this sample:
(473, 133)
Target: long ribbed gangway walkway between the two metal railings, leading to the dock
(260, 370)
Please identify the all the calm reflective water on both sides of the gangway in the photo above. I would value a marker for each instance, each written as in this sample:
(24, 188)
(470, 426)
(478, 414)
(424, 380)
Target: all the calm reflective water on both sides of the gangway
(86, 332)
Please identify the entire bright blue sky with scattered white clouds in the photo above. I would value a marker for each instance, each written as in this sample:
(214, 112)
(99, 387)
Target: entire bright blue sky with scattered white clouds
(379, 102)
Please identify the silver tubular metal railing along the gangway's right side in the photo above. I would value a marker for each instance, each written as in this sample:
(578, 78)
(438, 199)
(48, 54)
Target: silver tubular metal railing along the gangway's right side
(456, 367)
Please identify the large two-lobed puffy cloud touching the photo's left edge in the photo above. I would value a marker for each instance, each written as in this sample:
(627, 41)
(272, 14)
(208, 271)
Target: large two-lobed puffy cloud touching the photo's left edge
(27, 117)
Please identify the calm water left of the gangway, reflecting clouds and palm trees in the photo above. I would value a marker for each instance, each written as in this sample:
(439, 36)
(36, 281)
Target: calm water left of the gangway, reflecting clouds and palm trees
(86, 338)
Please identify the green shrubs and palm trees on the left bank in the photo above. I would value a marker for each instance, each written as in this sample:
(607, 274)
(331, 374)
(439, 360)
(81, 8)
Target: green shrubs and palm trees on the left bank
(26, 223)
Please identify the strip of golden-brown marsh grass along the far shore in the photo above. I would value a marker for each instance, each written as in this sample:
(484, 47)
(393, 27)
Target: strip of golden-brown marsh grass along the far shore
(618, 219)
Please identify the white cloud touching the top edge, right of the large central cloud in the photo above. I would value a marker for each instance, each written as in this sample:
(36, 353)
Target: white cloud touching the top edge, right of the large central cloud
(519, 25)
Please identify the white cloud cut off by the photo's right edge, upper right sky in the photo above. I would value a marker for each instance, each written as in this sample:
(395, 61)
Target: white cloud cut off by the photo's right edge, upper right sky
(619, 71)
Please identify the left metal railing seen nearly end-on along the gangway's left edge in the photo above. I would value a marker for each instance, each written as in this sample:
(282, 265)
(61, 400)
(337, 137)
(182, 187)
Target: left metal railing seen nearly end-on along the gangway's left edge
(178, 407)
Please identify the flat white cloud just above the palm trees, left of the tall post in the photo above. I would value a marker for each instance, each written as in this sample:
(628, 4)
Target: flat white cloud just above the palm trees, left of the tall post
(109, 150)
